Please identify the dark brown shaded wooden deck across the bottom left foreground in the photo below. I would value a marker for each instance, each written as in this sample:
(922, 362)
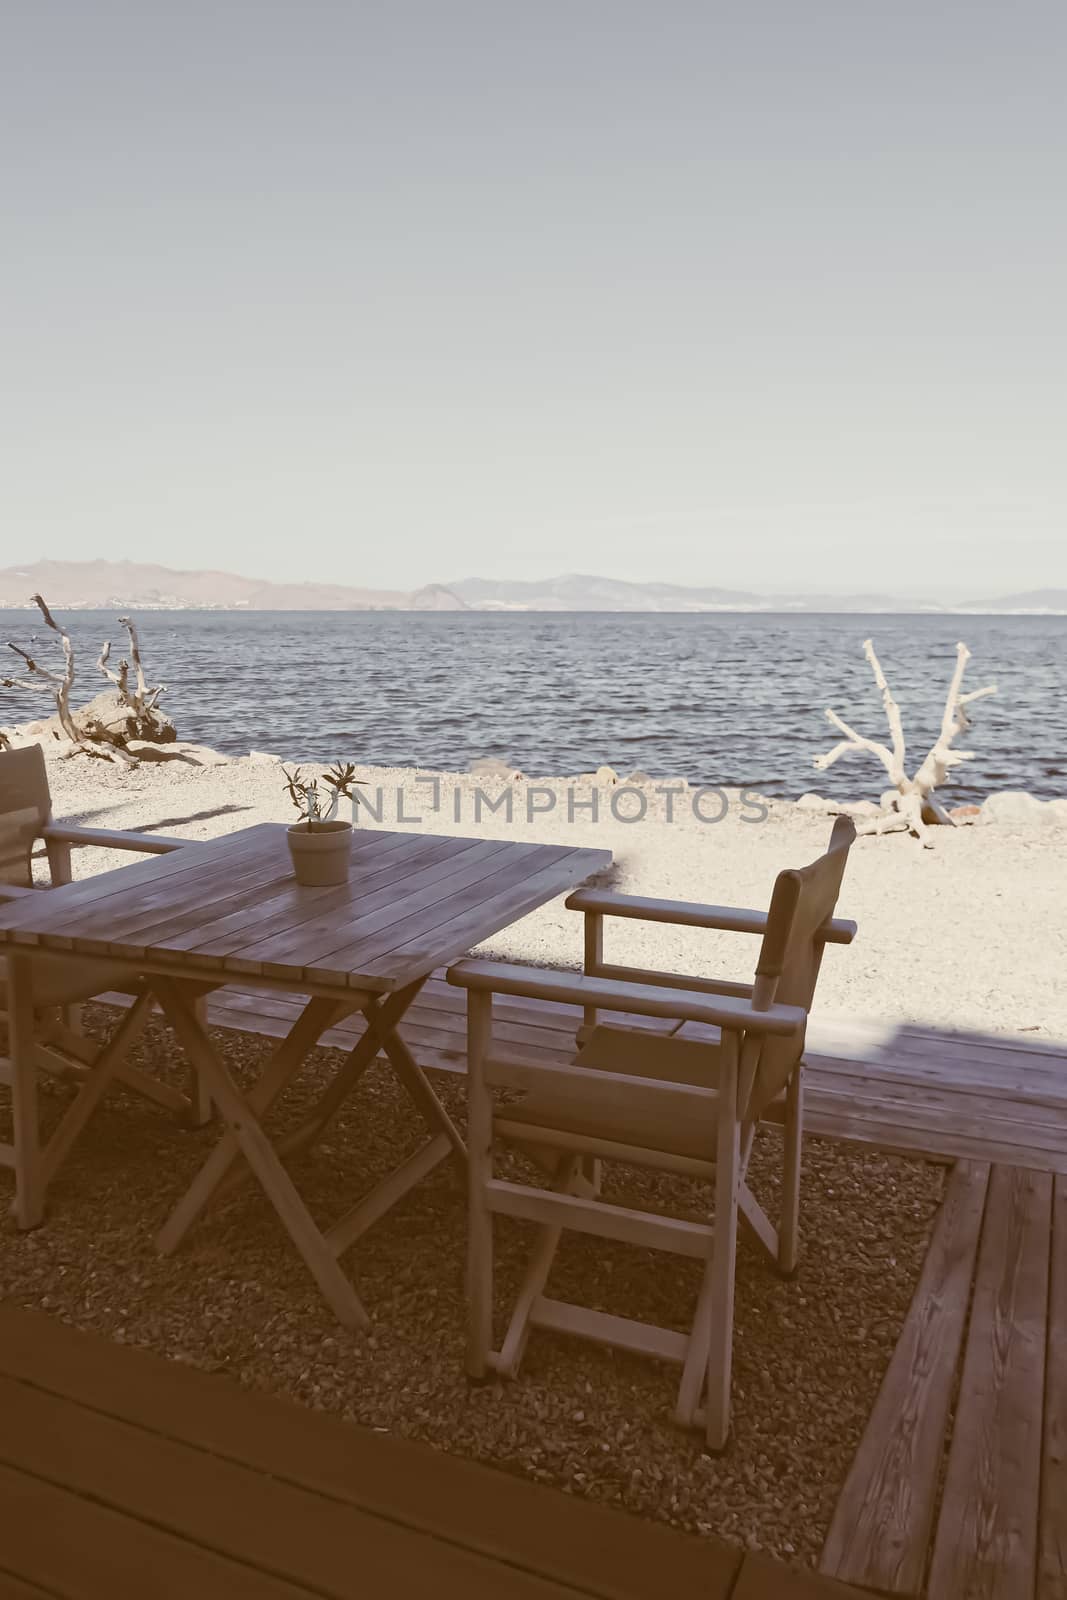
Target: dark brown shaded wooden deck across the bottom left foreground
(126, 1476)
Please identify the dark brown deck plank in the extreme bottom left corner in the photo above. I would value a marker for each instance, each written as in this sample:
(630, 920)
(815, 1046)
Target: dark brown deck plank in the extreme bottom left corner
(82, 1551)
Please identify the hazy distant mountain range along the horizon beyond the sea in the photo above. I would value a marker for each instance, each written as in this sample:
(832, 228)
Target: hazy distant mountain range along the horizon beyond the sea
(142, 586)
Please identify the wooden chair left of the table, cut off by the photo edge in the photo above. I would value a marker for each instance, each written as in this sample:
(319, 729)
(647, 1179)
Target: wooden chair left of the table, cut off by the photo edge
(60, 986)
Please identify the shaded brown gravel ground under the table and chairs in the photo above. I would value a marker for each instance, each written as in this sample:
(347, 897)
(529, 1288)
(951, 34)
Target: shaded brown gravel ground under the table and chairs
(810, 1354)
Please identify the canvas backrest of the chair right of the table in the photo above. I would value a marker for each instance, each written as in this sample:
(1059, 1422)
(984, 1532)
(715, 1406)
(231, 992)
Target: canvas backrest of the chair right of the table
(791, 954)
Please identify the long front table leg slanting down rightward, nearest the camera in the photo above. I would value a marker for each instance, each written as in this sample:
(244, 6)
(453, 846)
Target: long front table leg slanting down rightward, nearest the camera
(263, 1161)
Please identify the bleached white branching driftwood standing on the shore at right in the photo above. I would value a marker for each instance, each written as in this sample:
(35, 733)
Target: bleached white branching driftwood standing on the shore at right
(914, 804)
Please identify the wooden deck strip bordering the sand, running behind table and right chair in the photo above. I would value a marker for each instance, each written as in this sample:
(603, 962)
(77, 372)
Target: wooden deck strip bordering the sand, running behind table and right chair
(946, 1095)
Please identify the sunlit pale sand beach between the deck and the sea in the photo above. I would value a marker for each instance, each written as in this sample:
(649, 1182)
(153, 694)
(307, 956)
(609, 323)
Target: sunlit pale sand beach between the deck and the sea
(972, 934)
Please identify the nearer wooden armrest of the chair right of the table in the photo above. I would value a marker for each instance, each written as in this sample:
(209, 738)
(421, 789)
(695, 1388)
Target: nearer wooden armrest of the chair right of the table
(641, 999)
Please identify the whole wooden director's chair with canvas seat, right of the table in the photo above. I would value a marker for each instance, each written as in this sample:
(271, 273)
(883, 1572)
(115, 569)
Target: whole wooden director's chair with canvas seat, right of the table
(685, 1100)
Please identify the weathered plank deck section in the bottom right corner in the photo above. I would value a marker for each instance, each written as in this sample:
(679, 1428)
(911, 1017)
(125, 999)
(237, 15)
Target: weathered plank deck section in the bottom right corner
(959, 1489)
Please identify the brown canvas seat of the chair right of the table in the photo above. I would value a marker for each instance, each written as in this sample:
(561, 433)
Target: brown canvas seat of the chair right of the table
(642, 1114)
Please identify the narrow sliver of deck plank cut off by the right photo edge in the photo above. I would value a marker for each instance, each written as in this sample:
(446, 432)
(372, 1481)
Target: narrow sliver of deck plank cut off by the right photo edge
(1052, 1583)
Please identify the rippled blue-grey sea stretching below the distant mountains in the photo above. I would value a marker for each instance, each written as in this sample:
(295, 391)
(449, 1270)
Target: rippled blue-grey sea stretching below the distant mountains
(721, 700)
